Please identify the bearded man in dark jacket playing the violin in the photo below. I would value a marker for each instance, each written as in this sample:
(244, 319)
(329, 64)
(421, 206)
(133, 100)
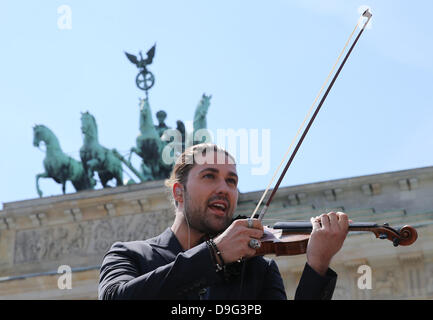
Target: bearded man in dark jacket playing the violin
(206, 254)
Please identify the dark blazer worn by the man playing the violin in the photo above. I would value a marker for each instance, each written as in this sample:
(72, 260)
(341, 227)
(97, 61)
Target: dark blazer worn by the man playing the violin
(158, 268)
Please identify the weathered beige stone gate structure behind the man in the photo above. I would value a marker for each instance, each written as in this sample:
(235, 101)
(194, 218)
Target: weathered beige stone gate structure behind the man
(42, 239)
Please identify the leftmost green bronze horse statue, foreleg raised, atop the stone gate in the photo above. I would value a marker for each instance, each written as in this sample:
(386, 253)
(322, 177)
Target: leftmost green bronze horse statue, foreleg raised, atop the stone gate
(58, 165)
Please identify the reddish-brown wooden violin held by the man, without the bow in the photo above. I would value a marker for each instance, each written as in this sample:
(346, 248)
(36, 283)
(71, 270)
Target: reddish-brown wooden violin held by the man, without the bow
(291, 238)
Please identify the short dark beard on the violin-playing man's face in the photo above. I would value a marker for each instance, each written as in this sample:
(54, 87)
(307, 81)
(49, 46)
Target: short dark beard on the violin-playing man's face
(200, 220)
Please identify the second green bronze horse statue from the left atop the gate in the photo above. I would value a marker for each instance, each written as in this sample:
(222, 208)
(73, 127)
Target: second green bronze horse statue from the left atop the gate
(96, 157)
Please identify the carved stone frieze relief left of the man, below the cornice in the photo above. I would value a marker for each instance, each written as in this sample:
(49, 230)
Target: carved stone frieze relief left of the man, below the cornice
(85, 238)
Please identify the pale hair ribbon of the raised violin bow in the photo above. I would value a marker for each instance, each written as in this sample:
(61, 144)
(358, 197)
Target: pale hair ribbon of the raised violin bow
(302, 125)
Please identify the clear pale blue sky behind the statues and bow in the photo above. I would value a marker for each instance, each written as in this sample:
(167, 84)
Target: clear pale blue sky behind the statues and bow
(263, 62)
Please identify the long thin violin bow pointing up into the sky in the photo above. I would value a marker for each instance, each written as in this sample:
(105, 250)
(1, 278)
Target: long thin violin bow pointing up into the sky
(366, 14)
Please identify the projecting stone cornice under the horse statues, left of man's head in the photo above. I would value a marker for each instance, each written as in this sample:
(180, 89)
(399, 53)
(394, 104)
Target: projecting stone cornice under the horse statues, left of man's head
(85, 205)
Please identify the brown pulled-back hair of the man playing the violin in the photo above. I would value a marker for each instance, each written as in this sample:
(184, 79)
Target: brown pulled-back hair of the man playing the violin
(187, 160)
